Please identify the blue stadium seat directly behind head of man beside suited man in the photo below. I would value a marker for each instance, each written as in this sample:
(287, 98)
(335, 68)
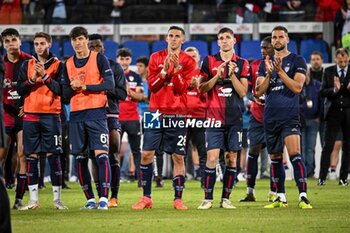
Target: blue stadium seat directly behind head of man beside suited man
(310, 45)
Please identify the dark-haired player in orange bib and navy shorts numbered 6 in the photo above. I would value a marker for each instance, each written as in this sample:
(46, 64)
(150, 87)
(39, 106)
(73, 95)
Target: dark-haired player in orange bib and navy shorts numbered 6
(86, 78)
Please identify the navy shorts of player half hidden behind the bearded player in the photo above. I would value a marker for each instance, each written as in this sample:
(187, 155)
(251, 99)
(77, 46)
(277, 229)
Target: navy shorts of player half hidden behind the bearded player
(256, 133)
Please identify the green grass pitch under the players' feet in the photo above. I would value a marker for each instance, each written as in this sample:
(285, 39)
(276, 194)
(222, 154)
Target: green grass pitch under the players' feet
(330, 214)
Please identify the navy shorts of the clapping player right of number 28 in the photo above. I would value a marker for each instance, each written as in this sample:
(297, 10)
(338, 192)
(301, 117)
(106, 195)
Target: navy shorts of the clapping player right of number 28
(227, 138)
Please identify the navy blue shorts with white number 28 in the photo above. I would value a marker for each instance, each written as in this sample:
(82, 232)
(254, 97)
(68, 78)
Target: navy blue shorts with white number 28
(170, 140)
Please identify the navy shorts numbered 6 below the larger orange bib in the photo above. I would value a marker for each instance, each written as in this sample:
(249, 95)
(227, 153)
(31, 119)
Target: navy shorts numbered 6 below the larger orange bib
(88, 135)
